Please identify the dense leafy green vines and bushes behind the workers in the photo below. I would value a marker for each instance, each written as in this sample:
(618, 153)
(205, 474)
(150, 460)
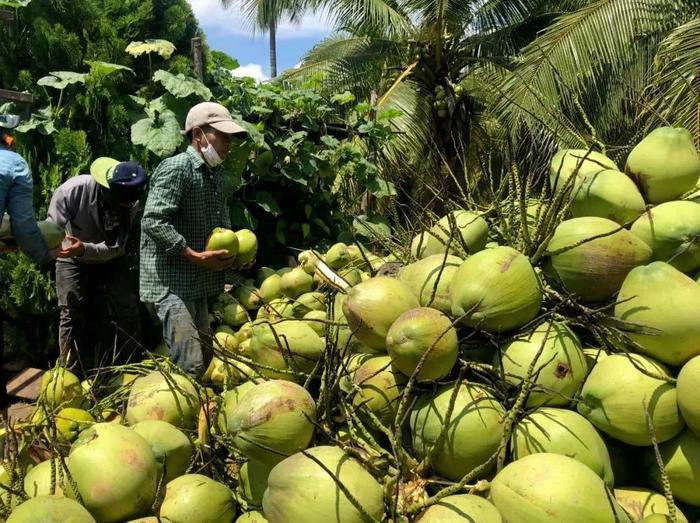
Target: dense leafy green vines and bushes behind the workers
(296, 180)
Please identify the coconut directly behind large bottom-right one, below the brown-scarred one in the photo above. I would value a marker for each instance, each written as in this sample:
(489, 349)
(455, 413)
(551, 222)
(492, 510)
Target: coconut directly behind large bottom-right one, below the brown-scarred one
(561, 431)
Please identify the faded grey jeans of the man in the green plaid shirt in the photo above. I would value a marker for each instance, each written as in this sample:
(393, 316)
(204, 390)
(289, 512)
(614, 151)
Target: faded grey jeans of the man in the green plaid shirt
(186, 332)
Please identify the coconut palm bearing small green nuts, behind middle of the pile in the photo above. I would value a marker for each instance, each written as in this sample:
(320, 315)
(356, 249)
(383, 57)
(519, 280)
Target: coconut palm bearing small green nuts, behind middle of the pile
(429, 59)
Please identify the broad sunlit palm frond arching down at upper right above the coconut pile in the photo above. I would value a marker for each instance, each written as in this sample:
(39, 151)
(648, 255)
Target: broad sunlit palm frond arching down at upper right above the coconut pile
(582, 54)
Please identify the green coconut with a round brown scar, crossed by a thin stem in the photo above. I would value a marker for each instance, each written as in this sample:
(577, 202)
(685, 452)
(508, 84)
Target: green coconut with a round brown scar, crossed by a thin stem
(559, 370)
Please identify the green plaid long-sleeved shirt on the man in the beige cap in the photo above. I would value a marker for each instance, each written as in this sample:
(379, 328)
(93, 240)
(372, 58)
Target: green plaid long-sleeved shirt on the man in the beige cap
(185, 203)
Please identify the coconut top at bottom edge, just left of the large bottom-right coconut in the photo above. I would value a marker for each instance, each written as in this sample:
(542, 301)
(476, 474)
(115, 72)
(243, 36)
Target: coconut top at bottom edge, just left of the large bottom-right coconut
(462, 508)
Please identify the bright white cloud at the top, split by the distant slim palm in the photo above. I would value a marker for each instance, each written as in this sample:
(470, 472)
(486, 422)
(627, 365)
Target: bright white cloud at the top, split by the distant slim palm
(211, 14)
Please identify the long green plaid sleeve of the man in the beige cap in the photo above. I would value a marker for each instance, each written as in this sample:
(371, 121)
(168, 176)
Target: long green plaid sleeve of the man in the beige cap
(167, 188)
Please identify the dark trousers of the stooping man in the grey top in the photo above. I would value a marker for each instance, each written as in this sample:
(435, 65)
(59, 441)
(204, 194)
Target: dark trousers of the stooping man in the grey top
(99, 313)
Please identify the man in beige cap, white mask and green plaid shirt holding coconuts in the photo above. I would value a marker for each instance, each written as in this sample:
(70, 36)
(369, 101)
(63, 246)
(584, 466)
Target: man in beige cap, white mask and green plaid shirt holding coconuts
(185, 203)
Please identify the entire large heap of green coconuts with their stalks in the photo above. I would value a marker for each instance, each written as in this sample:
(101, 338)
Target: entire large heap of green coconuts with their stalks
(535, 359)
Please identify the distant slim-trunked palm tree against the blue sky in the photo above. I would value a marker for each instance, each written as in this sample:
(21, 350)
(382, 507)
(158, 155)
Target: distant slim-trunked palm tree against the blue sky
(266, 15)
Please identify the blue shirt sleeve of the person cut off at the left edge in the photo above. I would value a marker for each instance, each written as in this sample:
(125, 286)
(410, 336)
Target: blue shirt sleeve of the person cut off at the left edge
(20, 207)
